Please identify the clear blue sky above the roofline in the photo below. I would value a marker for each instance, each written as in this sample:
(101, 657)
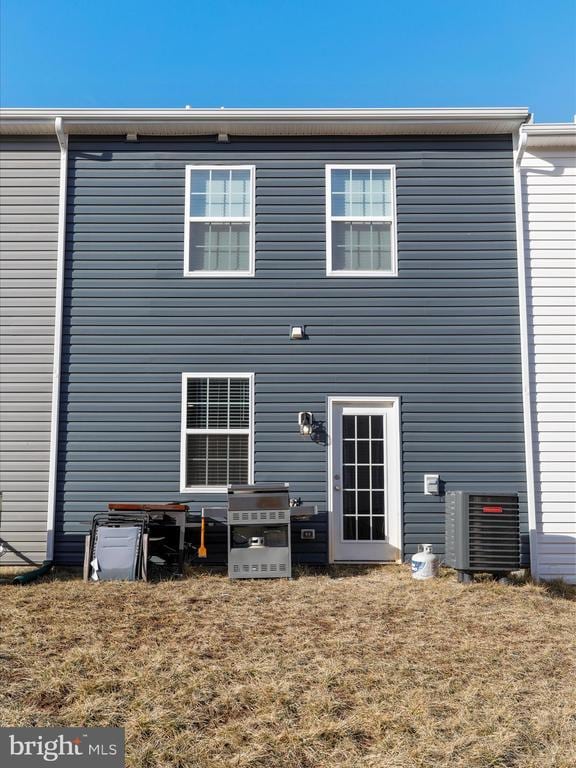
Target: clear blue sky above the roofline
(307, 53)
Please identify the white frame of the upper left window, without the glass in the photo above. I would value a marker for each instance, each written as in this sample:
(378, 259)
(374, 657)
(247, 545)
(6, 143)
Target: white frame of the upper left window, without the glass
(250, 272)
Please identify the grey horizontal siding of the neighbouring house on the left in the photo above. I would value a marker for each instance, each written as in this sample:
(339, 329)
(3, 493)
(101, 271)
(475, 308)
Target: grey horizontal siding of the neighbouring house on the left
(29, 182)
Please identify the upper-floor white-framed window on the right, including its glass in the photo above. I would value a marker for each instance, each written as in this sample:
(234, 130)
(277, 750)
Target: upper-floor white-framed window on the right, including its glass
(361, 220)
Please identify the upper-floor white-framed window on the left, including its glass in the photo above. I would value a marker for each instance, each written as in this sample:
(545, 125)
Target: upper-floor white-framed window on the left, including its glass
(219, 230)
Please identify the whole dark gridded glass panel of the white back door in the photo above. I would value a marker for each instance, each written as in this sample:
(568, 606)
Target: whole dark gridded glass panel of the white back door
(363, 494)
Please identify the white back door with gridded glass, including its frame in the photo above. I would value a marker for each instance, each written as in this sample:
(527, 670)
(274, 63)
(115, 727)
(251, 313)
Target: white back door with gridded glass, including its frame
(364, 480)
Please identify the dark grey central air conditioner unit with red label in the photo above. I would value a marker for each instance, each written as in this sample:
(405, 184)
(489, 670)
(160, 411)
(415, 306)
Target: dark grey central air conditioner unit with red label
(482, 533)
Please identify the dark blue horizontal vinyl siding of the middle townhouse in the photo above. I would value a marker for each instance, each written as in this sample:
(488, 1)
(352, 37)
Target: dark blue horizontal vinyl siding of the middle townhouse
(443, 335)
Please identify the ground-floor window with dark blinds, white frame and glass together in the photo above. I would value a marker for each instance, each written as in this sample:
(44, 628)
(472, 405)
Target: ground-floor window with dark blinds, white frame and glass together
(217, 430)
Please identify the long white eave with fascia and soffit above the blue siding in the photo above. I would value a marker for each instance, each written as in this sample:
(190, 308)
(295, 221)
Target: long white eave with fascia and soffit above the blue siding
(265, 121)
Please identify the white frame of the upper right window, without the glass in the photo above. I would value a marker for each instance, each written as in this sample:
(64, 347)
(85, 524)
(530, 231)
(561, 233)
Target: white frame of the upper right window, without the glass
(390, 219)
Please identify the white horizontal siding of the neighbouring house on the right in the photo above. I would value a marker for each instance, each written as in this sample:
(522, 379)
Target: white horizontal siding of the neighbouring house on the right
(549, 198)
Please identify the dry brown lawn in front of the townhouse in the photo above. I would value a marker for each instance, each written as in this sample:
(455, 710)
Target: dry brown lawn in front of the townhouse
(335, 669)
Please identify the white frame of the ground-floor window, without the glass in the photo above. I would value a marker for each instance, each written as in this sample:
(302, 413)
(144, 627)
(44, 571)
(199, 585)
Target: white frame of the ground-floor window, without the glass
(184, 431)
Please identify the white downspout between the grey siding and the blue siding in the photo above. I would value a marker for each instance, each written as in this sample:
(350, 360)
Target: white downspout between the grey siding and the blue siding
(58, 309)
